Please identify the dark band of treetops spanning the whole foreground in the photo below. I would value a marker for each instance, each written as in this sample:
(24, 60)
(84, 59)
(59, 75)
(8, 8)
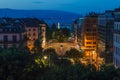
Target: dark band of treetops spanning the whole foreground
(18, 64)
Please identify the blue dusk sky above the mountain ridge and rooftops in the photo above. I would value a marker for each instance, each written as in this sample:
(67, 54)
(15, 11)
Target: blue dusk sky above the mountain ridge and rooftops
(77, 6)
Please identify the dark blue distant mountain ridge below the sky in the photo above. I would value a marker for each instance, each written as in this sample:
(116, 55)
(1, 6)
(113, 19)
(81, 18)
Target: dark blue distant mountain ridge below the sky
(51, 16)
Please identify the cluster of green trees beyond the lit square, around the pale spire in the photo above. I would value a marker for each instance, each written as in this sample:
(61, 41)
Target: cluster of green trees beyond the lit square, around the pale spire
(60, 35)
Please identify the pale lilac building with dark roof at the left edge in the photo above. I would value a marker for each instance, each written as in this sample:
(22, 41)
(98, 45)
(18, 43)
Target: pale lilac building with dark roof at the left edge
(11, 35)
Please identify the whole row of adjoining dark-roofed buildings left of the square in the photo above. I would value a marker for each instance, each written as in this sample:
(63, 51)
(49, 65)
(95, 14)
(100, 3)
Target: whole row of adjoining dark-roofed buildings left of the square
(27, 30)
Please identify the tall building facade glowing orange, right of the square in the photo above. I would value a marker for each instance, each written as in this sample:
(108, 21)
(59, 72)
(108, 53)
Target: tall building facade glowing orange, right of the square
(90, 36)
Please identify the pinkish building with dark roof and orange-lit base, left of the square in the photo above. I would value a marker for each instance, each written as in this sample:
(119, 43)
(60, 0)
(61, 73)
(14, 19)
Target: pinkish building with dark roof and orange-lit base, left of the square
(34, 29)
